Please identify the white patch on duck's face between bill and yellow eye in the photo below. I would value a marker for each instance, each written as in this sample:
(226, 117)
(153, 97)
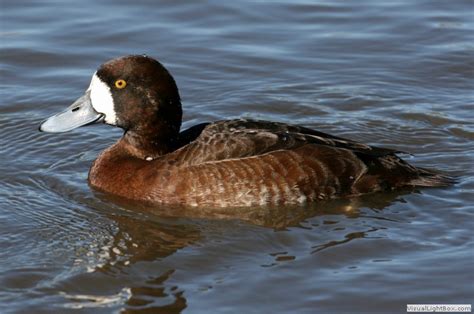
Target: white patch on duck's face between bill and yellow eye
(101, 99)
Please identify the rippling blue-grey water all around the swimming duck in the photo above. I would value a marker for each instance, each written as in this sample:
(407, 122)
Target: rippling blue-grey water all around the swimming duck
(393, 73)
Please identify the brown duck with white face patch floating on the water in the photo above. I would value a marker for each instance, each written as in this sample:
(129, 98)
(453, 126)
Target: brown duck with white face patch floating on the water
(227, 163)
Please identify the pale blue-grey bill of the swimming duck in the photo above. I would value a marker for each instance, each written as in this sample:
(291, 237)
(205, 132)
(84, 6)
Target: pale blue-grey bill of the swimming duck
(78, 114)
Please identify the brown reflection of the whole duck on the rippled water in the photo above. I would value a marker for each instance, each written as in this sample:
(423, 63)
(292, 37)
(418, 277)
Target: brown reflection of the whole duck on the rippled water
(148, 234)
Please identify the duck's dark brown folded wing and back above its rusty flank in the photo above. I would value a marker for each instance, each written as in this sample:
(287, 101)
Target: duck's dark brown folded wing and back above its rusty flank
(244, 138)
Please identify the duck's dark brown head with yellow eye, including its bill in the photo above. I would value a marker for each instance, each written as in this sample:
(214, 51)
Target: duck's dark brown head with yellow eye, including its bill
(135, 93)
